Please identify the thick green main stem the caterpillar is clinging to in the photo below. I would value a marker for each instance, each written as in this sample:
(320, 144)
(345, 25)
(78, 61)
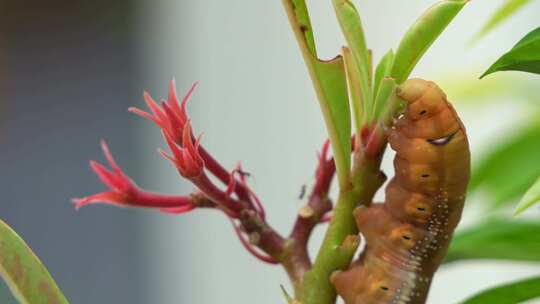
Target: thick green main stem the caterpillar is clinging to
(335, 253)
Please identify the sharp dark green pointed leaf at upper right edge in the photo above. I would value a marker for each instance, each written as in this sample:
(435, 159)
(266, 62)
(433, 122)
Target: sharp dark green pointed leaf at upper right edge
(524, 56)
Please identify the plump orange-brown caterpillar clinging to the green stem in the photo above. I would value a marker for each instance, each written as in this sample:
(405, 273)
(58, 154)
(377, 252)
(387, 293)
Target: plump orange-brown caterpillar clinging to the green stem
(408, 236)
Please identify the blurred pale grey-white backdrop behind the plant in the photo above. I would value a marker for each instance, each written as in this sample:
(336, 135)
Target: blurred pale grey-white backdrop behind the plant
(255, 103)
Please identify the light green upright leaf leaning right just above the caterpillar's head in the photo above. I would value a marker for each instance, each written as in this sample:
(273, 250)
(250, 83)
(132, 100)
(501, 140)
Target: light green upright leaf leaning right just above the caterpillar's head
(421, 36)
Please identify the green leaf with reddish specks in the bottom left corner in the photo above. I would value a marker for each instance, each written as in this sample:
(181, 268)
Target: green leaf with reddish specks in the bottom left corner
(25, 275)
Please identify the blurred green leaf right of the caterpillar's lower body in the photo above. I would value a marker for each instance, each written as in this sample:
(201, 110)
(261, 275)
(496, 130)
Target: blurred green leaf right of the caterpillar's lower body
(501, 239)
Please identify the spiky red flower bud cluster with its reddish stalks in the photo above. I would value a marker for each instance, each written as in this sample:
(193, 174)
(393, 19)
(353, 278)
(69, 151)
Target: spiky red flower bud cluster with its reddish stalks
(194, 163)
